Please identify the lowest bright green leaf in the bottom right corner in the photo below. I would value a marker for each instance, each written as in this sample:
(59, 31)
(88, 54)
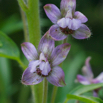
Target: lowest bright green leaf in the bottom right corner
(83, 99)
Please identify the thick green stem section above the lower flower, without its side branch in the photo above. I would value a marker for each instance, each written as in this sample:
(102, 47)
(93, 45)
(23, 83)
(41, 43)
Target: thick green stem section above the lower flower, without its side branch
(33, 19)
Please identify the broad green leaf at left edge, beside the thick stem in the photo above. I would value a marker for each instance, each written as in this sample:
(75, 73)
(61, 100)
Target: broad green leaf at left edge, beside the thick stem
(8, 48)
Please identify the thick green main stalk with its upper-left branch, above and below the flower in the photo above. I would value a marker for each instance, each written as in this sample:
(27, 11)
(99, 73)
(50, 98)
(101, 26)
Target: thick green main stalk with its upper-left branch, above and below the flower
(33, 20)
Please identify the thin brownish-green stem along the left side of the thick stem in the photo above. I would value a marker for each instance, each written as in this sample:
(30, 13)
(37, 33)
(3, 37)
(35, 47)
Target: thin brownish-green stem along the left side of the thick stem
(26, 36)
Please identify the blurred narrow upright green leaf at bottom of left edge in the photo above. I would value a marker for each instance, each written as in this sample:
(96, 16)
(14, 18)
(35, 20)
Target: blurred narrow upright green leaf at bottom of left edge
(5, 79)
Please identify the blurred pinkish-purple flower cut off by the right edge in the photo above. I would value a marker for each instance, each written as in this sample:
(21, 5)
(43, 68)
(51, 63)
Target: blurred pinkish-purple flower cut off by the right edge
(88, 76)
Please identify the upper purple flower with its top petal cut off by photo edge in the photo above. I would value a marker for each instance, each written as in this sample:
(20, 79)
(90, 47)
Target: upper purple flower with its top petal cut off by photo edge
(67, 21)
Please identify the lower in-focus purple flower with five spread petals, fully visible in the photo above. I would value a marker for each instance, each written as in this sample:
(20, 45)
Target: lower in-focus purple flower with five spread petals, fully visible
(44, 62)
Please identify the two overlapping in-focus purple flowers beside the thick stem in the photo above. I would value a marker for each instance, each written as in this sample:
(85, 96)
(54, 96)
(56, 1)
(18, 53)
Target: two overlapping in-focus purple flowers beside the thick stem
(44, 61)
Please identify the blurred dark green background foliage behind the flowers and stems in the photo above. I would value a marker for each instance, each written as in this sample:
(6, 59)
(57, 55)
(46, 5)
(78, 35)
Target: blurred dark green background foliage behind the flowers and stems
(11, 90)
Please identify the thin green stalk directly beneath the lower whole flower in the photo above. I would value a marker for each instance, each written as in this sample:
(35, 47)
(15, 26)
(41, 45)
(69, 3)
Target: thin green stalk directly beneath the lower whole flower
(45, 90)
